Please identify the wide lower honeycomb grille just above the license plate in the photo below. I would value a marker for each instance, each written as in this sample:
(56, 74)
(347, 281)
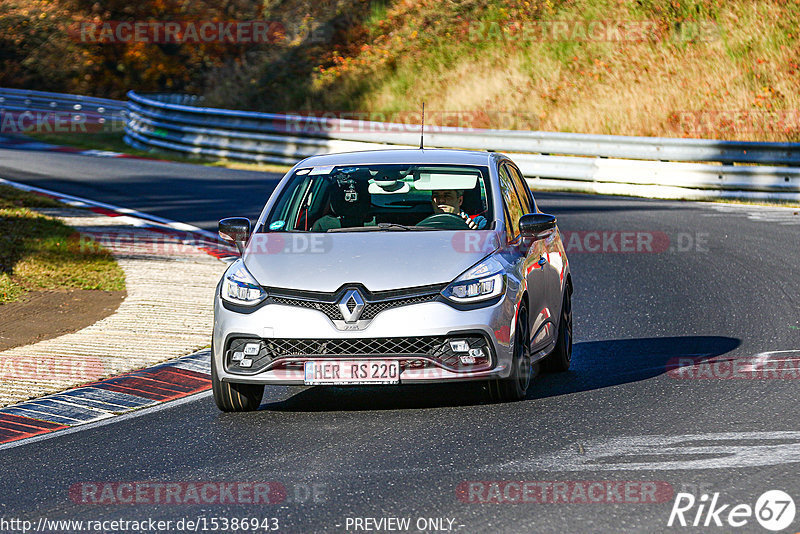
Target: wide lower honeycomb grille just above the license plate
(413, 351)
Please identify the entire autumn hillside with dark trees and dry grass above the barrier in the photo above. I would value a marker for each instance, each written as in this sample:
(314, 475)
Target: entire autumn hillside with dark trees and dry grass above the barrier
(691, 68)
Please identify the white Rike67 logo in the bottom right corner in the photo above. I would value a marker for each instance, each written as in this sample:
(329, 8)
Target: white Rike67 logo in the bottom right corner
(774, 510)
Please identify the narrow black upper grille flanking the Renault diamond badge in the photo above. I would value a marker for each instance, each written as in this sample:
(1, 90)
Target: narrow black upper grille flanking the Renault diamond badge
(375, 303)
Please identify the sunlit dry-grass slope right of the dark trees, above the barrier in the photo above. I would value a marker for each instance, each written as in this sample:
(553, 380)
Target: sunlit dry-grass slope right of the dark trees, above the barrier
(691, 68)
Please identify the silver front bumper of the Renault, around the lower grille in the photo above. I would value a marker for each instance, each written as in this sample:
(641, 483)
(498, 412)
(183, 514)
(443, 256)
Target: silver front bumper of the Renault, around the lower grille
(280, 323)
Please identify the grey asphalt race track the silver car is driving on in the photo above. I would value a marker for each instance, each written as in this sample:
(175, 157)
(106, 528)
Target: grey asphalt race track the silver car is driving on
(722, 282)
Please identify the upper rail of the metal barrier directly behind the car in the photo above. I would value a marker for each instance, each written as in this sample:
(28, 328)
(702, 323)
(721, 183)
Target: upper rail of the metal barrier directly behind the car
(171, 113)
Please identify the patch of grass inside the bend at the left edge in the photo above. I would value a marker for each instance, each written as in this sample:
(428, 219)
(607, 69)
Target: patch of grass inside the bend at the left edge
(41, 253)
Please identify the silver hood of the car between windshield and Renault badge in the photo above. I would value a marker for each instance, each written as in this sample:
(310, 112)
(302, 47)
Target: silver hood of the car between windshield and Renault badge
(378, 260)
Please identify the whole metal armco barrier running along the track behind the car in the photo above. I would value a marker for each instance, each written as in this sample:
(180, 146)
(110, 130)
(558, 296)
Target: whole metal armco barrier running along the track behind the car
(642, 166)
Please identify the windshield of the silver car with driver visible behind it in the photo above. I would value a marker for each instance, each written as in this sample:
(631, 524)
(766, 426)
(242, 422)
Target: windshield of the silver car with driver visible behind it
(383, 198)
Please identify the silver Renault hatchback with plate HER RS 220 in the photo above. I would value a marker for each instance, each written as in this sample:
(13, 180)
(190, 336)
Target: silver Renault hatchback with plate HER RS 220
(393, 267)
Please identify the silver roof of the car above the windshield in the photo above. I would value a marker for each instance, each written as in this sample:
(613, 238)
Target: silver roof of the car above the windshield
(402, 156)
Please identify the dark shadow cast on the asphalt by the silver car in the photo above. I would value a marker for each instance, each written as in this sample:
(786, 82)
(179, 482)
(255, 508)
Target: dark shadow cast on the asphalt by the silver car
(595, 364)
